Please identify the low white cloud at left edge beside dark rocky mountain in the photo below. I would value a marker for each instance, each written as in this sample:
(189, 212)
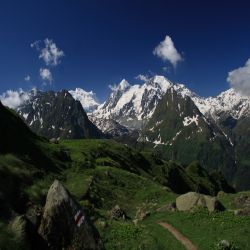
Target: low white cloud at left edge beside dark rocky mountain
(14, 99)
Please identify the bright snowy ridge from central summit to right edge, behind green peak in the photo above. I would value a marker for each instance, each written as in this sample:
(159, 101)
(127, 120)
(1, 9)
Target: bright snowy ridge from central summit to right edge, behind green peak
(130, 105)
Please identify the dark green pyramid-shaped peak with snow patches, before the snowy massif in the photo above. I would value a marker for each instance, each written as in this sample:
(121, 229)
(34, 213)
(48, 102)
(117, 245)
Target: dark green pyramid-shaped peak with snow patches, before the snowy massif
(181, 132)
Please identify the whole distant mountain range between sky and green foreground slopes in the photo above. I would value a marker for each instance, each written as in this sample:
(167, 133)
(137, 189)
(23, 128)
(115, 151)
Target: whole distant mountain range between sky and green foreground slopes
(158, 114)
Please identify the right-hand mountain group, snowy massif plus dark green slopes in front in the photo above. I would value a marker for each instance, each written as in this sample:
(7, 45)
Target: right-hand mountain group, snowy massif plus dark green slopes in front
(208, 124)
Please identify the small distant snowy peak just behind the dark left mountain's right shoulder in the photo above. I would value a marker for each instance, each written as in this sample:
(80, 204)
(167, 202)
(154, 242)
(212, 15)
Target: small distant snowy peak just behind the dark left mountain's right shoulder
(87, 99)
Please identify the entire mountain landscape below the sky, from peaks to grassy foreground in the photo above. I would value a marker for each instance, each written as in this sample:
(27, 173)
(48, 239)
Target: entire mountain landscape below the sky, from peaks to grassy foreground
(116, 170)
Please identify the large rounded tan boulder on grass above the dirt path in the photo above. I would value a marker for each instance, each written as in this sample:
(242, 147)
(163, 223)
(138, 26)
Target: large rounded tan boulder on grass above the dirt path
(192, 200)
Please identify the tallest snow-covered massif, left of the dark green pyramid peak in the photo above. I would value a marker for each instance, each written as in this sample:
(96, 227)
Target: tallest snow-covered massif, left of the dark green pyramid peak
(130, 105)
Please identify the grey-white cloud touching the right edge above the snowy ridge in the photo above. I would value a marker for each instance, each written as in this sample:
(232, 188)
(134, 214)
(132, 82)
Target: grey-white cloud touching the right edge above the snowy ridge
(239, 79)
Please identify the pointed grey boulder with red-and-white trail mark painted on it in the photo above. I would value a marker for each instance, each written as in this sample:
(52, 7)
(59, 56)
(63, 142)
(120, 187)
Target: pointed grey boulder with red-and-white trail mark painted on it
(64, 224)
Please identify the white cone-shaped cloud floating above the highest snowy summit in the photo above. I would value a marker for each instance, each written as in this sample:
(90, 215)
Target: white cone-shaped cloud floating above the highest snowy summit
(167, 51)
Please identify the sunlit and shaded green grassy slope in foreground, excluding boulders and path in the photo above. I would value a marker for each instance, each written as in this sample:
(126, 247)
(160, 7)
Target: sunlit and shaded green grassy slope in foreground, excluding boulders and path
(101, 174)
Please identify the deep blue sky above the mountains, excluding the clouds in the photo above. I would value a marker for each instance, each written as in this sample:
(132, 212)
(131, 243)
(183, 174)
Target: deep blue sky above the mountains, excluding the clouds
(104, 41)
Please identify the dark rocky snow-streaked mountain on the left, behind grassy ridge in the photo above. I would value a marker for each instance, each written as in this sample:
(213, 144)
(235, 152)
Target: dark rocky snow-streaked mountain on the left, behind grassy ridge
(56, 115)
